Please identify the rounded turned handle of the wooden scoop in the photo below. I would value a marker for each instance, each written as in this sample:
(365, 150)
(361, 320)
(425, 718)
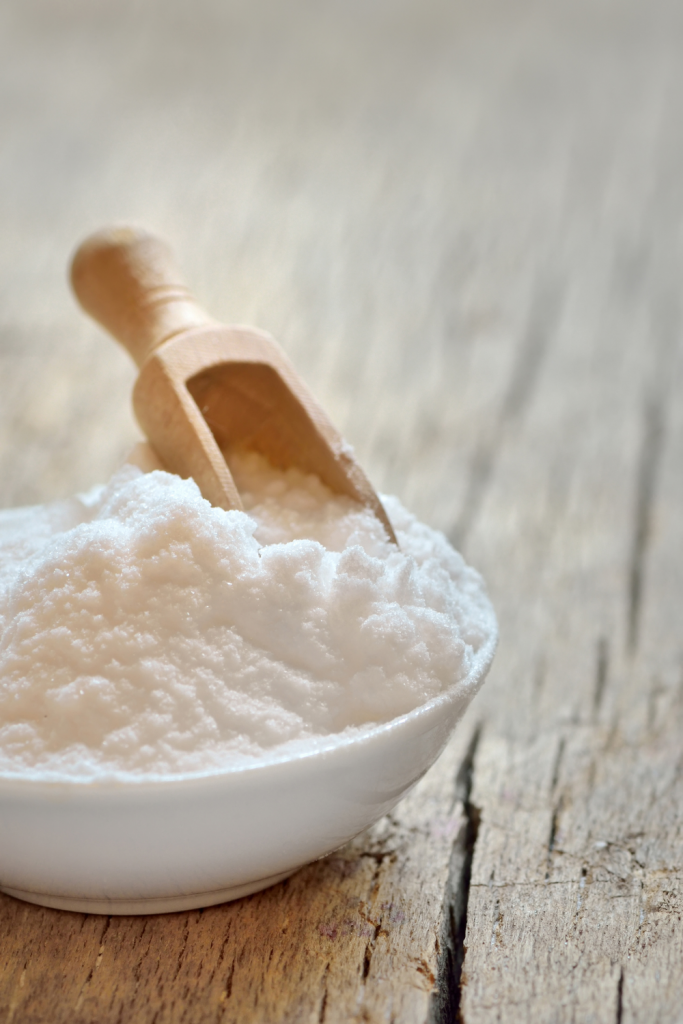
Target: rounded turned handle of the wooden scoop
(127, 280)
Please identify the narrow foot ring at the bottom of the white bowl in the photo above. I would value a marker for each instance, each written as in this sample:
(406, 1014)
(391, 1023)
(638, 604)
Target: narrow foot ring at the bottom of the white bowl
(155, 905)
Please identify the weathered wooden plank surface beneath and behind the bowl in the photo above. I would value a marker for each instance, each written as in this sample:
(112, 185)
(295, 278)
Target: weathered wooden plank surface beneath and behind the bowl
(464, 222)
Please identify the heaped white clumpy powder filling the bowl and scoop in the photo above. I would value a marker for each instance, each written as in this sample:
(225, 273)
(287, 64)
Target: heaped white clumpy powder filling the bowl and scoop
(145, 633)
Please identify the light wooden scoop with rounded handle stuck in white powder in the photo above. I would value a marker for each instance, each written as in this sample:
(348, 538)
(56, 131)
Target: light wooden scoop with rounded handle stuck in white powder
(204, 388)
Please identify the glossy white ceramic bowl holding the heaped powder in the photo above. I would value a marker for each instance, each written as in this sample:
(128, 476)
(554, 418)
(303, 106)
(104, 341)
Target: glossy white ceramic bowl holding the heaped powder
(153, 847)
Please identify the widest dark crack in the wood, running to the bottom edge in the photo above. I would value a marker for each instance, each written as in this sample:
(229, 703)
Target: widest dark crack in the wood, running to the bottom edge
(445, 1007)
